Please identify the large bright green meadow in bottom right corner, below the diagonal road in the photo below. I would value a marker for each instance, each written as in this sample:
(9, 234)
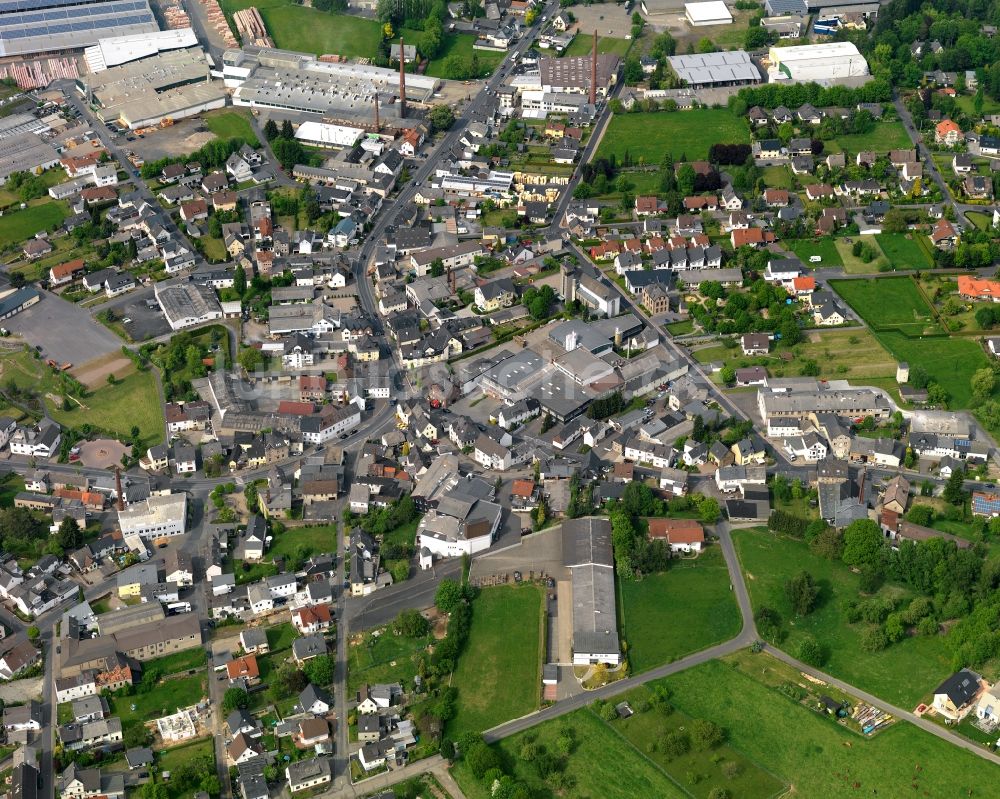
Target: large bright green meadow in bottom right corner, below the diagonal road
(814, 754)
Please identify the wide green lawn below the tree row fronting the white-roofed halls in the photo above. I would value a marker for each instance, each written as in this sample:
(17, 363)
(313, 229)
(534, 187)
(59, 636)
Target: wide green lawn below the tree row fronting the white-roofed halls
(686, 135)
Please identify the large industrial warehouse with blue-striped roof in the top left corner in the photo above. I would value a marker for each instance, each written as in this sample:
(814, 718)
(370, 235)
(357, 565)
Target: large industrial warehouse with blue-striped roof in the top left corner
(39, 26)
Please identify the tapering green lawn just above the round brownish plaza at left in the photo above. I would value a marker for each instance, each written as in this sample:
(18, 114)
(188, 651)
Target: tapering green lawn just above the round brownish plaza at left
(131, 401)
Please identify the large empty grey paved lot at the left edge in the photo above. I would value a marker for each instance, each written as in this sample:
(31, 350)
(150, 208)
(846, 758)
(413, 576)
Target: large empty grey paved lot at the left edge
(65, 332)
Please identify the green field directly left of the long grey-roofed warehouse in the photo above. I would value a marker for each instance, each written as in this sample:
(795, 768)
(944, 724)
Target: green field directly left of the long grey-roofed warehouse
(498, 675)
